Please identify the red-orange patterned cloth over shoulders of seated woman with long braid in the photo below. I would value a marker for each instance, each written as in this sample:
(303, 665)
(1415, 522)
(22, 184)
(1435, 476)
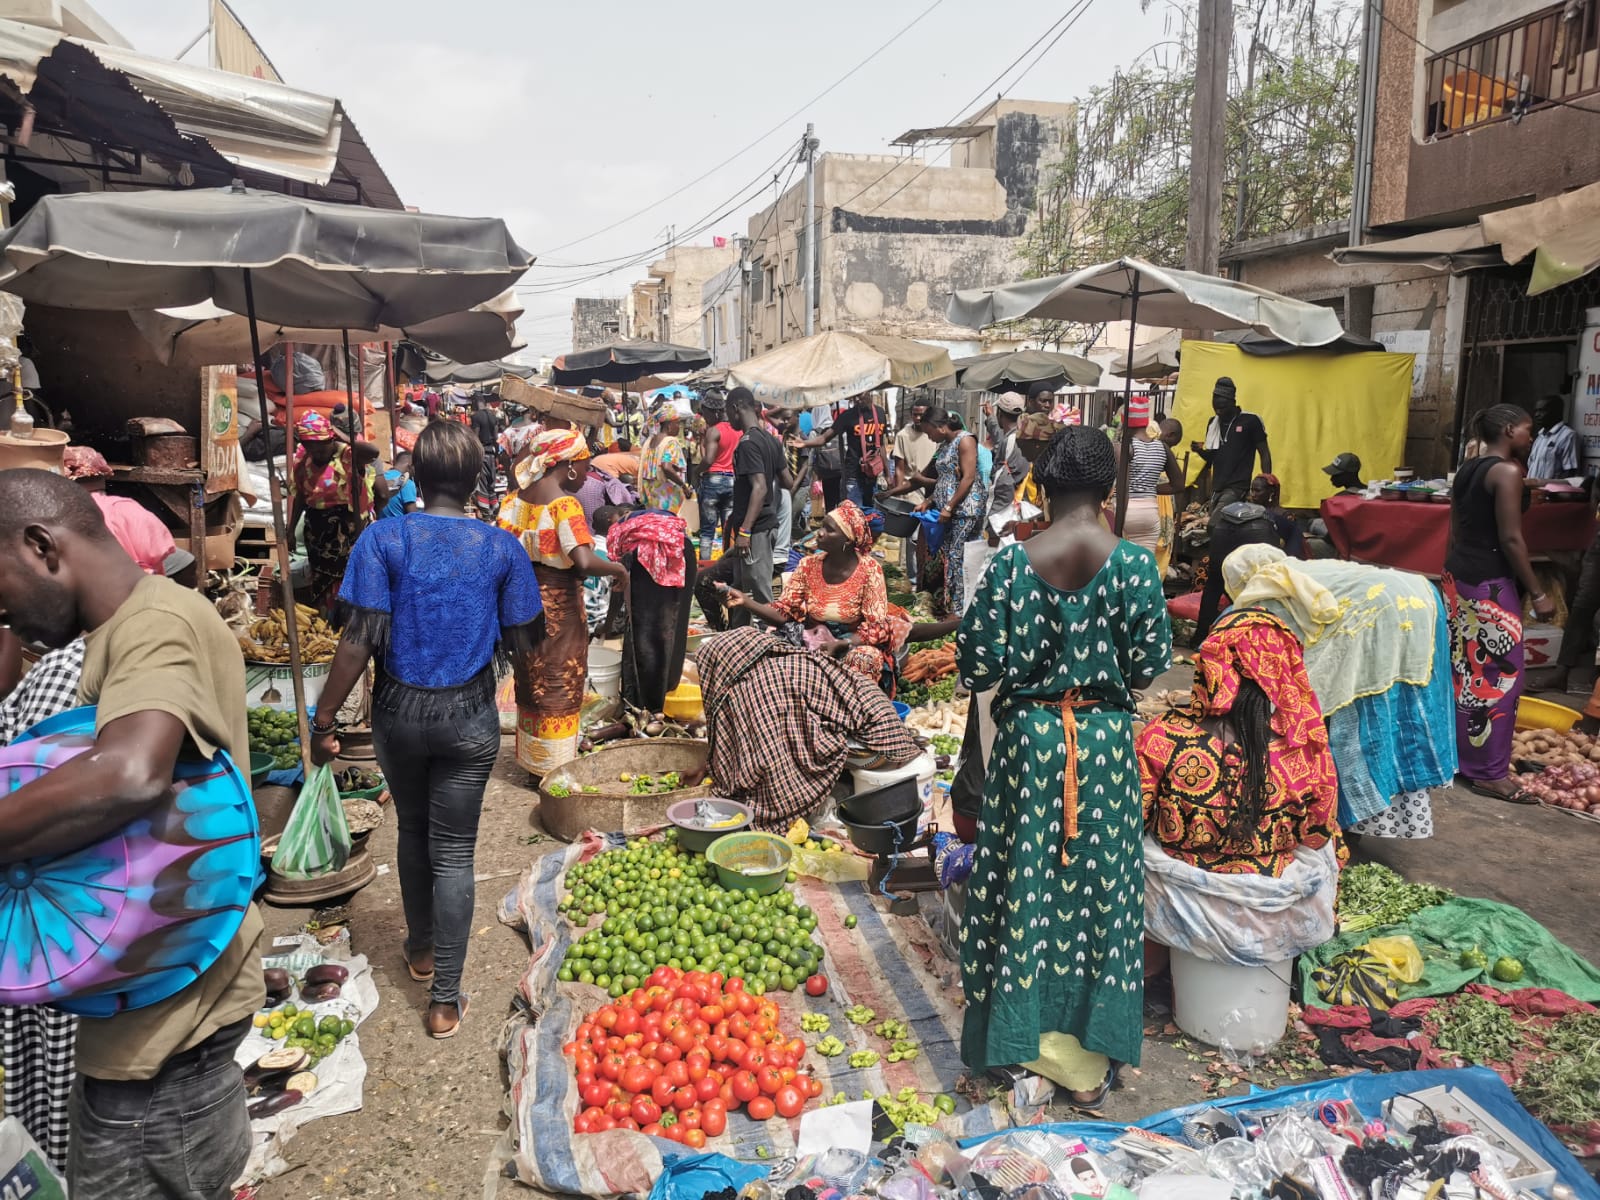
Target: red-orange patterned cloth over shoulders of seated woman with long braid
(1257, 646)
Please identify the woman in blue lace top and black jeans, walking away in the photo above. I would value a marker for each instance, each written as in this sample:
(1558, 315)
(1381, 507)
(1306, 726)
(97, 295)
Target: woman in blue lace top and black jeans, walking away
(436, 598)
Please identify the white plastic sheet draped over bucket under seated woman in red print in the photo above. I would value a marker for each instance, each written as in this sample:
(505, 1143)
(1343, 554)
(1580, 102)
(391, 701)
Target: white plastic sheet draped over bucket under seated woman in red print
(1247, 921)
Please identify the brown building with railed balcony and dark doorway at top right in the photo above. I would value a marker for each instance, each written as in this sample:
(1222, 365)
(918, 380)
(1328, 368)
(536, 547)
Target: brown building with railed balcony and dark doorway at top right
(1471, 114)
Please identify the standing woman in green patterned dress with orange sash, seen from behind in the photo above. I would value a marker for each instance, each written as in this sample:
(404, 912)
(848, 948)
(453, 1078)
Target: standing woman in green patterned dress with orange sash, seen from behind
(1065, 628)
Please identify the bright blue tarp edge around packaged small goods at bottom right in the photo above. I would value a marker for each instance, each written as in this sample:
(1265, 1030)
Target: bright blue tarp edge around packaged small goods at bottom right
(1369, 1094)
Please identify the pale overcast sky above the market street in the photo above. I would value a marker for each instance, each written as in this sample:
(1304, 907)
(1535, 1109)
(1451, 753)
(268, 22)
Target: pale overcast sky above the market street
(567, 118)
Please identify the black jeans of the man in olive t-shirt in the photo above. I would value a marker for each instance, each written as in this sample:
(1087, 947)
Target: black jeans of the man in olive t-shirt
(183, 1135)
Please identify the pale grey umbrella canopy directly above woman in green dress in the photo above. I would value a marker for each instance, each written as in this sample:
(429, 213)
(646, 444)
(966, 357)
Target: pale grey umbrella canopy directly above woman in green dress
(1132, 289)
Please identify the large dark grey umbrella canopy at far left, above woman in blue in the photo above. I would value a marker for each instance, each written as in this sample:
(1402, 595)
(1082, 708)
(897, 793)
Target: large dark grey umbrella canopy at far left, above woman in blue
(313, 265)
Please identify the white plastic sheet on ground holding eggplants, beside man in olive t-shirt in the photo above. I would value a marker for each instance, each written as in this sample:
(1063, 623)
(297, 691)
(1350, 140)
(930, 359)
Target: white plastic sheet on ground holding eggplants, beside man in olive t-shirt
(340, 1078)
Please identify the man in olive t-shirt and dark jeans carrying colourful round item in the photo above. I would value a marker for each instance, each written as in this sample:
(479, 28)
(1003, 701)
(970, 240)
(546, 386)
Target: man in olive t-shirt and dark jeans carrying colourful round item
(159, 1108)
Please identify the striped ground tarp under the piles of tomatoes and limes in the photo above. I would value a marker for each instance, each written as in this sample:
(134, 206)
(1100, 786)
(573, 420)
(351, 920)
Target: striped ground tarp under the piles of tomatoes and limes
(890, 964)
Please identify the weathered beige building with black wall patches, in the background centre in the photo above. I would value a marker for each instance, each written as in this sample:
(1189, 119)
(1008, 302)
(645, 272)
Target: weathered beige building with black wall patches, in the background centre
(897, 236)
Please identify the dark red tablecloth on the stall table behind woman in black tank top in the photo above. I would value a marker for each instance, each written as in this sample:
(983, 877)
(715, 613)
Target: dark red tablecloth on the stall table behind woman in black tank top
(1414, 537)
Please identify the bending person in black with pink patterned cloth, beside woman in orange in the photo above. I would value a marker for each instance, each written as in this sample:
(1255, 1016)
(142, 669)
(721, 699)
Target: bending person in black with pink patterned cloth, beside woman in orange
(660, 559)
